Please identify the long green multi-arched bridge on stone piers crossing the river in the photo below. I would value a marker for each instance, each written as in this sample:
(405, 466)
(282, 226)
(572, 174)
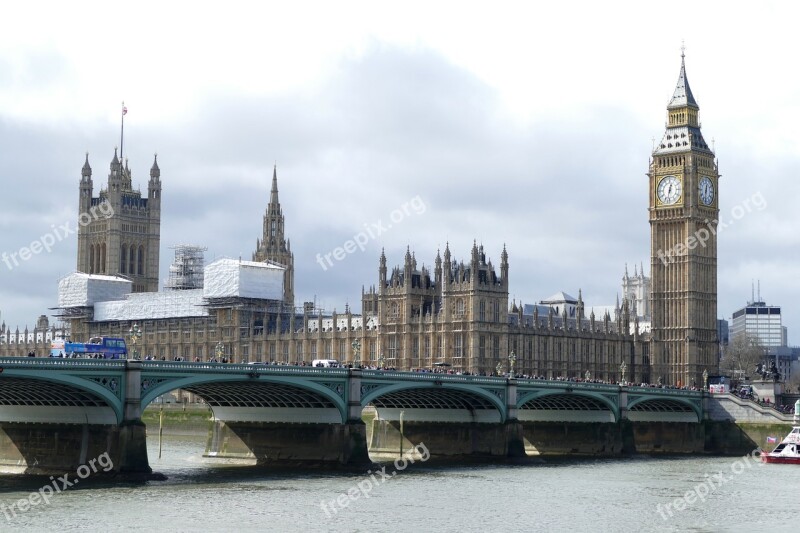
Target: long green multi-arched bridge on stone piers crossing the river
(61, 412)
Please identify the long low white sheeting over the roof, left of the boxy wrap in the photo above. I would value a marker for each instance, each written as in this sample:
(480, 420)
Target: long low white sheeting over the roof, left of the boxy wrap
(152, 306)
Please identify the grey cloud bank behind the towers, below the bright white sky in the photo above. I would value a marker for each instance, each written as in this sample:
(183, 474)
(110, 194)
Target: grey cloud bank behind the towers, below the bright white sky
(567, 197)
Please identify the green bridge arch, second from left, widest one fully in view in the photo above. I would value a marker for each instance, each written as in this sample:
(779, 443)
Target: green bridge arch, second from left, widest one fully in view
(230, 394)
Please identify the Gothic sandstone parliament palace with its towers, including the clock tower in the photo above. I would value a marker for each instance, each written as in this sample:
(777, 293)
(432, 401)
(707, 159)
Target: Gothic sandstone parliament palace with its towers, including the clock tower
(456, 314)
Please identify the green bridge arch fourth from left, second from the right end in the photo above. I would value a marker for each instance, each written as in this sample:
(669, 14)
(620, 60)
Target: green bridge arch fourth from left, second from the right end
(567, 406)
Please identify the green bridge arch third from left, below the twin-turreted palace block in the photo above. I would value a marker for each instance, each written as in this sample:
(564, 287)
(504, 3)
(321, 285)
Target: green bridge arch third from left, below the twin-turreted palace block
(445, 402)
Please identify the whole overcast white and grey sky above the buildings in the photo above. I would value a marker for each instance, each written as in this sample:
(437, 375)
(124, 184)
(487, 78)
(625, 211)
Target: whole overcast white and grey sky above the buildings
(524, 124)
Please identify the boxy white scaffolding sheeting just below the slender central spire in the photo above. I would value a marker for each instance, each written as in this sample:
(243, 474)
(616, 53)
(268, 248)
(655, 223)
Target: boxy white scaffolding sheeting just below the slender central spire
(227, 278)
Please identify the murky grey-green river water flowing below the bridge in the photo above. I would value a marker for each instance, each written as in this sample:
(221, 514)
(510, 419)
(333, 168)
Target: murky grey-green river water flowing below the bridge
(638, 493)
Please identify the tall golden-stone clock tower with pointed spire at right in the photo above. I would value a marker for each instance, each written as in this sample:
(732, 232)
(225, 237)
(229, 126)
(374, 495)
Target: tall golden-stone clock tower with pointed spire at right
(684, 208)
